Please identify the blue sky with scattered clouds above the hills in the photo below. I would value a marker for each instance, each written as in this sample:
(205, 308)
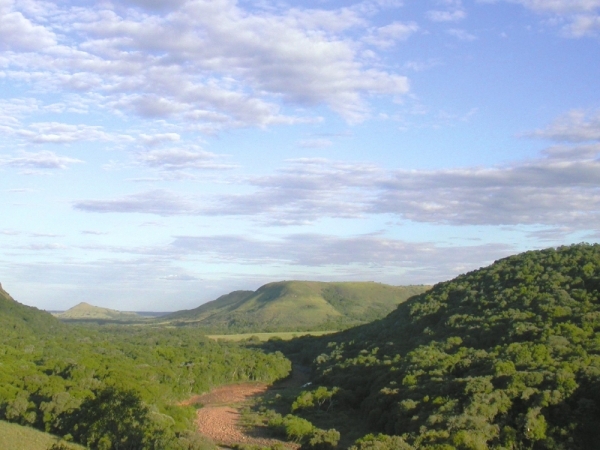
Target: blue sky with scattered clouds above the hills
(156, 154)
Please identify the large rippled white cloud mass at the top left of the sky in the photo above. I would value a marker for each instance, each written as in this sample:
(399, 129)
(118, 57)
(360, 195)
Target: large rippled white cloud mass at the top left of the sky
(213, 62)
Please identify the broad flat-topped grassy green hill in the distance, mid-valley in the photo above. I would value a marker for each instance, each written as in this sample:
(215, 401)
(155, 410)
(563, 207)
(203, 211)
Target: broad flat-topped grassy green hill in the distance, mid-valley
(297, 305)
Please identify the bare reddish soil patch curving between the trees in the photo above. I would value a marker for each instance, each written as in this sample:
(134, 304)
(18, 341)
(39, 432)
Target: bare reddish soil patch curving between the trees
(219, 417)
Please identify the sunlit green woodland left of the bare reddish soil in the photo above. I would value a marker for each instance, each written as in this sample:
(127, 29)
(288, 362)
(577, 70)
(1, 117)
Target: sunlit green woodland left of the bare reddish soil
(115, 387)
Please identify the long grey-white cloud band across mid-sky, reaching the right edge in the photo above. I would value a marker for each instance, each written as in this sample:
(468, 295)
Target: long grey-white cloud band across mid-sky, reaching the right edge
(561, 188)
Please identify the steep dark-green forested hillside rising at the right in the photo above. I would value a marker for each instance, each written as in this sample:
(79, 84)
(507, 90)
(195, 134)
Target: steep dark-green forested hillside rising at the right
(506, 357)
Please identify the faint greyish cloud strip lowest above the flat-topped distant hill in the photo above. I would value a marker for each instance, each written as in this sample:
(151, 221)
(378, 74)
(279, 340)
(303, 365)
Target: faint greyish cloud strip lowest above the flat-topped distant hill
(420, 262)
